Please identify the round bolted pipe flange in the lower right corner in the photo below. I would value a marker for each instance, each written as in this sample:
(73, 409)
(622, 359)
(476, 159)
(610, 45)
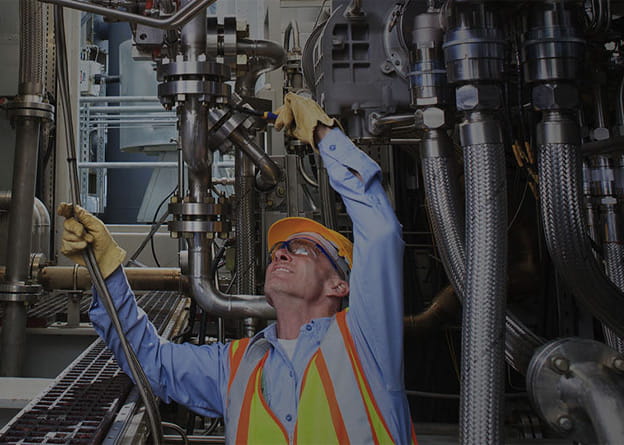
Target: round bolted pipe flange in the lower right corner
(549, 367)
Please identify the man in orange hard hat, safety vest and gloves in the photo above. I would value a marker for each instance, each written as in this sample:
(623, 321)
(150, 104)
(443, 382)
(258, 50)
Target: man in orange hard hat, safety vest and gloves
(319, 374)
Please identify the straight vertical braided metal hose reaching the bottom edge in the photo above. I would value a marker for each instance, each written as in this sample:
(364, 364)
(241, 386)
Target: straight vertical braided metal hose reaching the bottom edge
(482, 377)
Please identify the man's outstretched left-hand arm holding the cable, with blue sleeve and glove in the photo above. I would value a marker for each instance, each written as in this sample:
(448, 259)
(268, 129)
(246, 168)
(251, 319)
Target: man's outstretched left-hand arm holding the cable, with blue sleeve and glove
(191, 375)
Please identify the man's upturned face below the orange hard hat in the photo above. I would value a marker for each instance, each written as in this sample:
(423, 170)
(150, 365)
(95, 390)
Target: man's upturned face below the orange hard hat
(294, 275)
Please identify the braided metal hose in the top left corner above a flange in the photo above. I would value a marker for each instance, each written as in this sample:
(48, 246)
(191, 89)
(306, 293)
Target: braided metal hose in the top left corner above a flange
(31, 47)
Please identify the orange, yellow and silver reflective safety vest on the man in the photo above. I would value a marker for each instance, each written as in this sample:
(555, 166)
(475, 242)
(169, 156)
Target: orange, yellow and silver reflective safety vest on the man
(336, 404)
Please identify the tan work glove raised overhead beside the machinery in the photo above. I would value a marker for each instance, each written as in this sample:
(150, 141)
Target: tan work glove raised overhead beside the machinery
(300, 116)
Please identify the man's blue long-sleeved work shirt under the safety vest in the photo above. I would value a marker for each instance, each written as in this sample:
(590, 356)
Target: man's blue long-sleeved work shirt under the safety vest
(197, 376)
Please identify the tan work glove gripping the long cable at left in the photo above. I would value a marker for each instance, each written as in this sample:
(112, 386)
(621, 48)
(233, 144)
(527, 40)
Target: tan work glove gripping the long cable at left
(82, 228)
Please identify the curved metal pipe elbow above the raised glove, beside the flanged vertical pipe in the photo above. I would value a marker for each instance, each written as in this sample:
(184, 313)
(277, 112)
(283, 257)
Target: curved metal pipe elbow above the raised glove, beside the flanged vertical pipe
(267, 55)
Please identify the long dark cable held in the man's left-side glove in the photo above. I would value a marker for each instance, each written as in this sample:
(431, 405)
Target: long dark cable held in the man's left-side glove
(138, 375)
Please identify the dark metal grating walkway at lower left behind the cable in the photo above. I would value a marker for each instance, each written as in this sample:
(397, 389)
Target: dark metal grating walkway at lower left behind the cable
(80, 406)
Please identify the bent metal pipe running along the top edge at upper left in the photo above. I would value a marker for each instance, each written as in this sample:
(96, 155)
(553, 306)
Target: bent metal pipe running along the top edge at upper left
(185, 14)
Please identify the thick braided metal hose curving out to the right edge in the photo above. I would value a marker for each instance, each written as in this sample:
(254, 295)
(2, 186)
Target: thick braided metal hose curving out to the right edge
(561, 198)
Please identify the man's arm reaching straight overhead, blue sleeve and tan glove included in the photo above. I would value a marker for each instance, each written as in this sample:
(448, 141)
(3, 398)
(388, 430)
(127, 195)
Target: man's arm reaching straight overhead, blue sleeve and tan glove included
(376, 300)
